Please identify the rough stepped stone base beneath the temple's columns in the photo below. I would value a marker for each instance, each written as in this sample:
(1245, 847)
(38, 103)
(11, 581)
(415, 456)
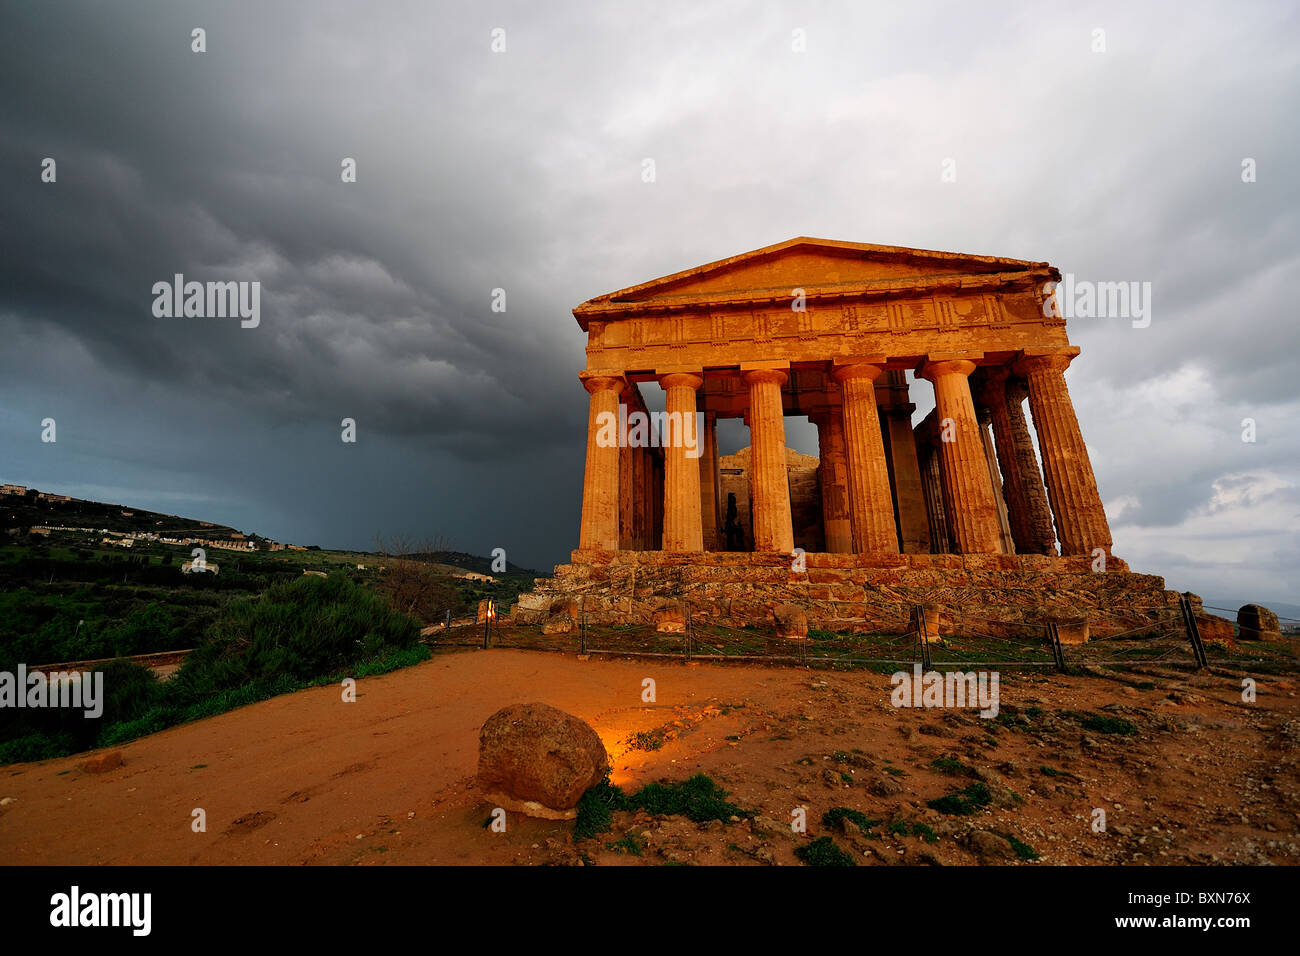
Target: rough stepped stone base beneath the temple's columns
(850, 592)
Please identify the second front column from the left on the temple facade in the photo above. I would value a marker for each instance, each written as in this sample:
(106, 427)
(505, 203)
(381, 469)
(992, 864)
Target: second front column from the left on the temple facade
(683, 530)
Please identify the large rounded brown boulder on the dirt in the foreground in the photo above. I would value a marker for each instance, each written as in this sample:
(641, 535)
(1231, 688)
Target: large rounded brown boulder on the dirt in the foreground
(540, 762)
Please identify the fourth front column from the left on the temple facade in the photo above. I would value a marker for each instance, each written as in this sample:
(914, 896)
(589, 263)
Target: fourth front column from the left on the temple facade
(870, 503)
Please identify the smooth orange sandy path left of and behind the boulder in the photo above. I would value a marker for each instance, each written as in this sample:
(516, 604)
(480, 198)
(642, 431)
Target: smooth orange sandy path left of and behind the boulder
(298, 778)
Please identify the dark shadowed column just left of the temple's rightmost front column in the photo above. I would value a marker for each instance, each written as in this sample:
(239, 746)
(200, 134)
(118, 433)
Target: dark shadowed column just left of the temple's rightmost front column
(1022, 483)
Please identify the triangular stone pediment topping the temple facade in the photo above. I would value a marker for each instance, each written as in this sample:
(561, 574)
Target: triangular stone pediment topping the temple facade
(811, 265)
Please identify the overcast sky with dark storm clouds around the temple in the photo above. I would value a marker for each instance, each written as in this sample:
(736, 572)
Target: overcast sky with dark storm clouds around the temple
(522, 171)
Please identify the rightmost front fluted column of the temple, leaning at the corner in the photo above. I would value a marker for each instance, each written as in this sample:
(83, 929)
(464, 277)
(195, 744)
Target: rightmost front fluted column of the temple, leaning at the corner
(1081, 520)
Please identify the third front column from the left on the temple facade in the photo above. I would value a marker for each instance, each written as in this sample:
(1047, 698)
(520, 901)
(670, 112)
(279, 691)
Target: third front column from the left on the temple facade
(774, 530)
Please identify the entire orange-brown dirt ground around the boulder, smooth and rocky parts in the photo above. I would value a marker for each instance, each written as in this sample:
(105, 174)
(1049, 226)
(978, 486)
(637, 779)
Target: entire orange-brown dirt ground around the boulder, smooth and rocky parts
(307, 778)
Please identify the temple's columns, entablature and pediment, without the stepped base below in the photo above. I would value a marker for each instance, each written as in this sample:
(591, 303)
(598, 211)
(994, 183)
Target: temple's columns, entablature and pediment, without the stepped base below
(827, 331)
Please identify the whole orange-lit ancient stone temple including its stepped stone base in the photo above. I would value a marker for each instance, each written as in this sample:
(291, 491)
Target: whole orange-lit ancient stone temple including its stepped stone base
(955, 508)
